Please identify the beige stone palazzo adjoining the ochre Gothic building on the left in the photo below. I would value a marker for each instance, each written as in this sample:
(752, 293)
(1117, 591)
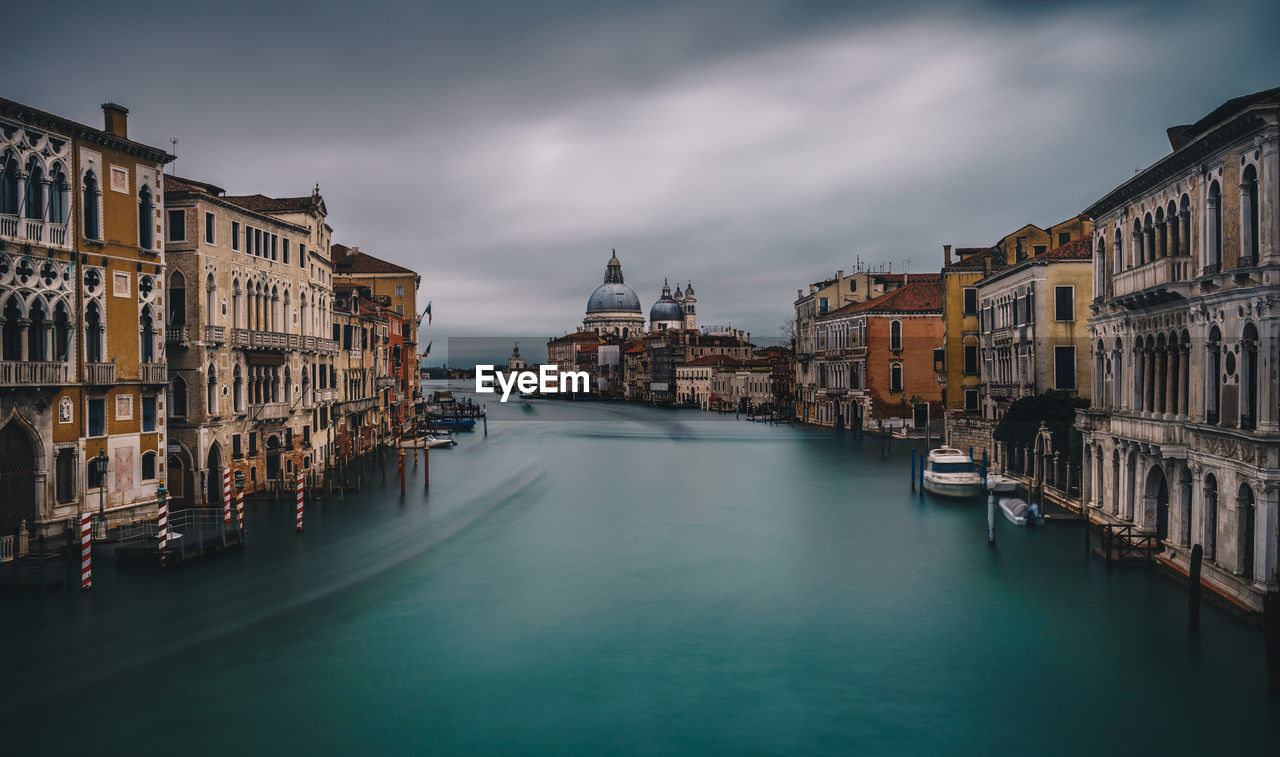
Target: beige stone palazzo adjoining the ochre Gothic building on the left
(250, 305)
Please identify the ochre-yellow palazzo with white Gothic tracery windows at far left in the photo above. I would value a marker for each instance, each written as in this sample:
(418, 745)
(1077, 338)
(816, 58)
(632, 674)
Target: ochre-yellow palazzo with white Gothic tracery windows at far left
(83, 304)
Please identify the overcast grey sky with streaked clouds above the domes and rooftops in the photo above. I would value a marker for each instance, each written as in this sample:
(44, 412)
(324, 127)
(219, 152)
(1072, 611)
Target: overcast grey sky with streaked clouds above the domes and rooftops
(504, 149)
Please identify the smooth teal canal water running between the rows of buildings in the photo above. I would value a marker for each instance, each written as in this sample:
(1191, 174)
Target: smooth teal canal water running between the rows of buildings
(610, 578)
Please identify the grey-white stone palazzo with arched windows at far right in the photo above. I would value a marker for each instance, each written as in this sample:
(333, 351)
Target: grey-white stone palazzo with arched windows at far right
(1183, 439)
